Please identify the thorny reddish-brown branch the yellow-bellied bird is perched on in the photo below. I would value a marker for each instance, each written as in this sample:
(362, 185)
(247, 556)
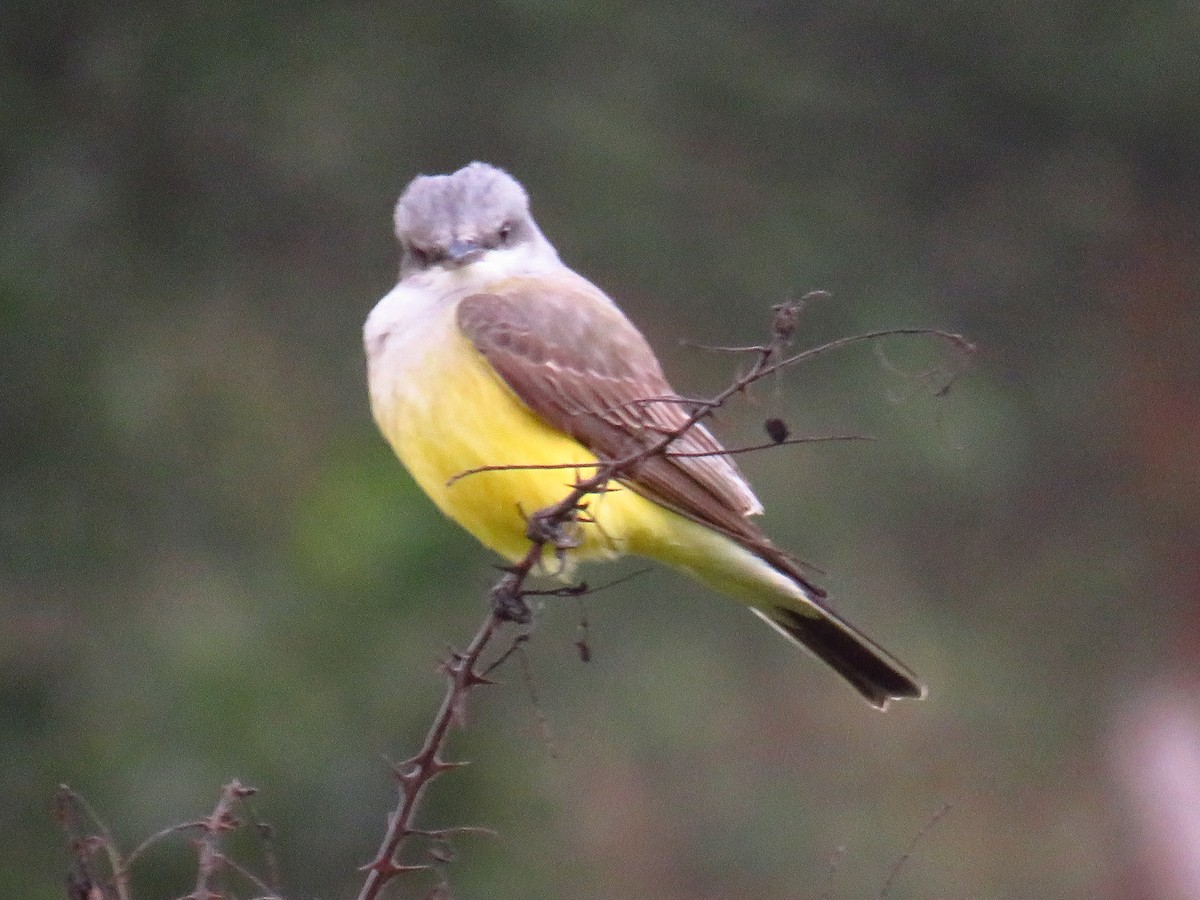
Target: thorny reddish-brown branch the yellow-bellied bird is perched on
(550, 530)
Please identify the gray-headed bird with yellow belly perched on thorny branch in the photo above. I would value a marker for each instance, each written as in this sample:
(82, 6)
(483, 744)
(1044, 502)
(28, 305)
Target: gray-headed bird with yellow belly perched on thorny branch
(491, 352)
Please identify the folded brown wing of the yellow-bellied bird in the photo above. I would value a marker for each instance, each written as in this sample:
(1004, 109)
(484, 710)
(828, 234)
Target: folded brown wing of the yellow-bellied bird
(584, 368)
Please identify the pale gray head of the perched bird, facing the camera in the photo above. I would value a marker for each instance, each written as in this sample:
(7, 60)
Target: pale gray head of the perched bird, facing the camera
(451, 221)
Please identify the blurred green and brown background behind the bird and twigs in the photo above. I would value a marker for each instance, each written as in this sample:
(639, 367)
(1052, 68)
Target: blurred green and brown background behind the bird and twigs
(212, 566)
